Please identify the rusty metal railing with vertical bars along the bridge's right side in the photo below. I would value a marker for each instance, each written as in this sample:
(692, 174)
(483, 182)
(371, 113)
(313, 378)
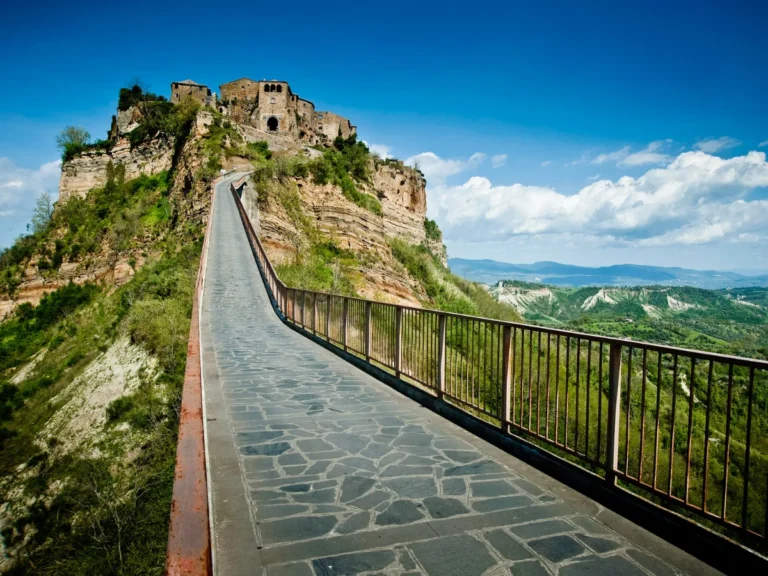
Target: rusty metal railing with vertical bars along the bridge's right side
(687, 428)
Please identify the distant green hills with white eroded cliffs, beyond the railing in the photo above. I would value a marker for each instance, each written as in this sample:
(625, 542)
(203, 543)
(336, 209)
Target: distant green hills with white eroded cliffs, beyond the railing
(733, 321)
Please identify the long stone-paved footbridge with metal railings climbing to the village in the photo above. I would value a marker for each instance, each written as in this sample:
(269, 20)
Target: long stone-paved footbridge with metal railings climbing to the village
(345, 437)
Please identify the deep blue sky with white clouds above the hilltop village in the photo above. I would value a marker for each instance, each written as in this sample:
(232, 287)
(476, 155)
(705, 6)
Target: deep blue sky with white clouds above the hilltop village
(621, 133)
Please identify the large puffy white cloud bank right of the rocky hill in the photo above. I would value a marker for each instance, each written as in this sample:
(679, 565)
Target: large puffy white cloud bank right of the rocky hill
(695, 199)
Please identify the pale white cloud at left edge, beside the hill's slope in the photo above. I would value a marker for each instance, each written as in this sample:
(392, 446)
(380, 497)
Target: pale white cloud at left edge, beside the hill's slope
(19, 189)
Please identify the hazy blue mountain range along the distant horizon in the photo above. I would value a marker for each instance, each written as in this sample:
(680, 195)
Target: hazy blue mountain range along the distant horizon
(491, 271)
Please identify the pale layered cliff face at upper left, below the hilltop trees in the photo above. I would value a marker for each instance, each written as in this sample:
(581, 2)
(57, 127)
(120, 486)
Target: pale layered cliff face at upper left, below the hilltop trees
(89, 169)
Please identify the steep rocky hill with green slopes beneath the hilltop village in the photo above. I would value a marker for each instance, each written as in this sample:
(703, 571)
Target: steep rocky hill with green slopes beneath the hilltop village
(95, 305)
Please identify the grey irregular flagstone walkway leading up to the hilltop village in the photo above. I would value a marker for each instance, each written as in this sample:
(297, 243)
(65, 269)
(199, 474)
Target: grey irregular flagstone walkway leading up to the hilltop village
(317, 468)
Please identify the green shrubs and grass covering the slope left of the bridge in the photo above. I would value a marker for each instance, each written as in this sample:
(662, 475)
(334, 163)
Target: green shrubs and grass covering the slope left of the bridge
(105, 510)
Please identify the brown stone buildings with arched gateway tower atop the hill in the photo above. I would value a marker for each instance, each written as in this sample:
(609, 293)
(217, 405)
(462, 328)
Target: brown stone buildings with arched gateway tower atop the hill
(271, 106)
